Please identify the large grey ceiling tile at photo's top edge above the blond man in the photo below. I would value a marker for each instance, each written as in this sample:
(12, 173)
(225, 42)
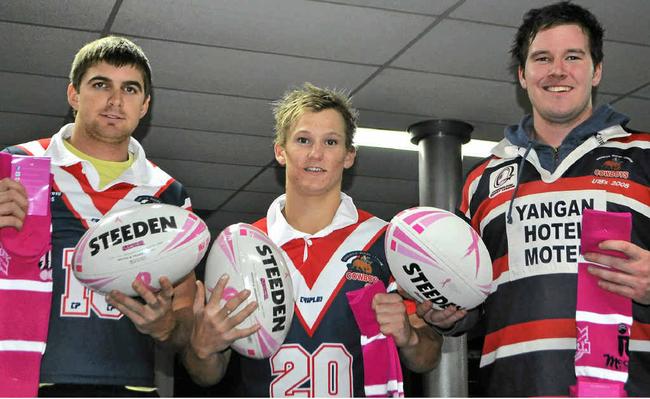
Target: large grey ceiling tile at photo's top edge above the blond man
(282, 26)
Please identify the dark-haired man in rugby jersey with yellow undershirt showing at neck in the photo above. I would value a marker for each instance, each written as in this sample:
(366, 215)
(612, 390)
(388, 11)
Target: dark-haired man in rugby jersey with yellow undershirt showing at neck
(91, 348)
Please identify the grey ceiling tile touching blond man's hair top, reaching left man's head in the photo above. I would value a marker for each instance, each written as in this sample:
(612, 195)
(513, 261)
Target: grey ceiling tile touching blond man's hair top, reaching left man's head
(226, 71)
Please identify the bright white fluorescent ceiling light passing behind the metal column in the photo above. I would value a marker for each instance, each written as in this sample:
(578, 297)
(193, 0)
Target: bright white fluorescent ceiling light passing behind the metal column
(366, 137)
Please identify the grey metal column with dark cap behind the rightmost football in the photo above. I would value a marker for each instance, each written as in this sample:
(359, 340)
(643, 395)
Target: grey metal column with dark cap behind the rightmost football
(440, 180)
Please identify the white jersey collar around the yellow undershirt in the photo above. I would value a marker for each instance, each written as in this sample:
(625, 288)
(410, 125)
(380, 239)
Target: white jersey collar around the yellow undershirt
(139, 173)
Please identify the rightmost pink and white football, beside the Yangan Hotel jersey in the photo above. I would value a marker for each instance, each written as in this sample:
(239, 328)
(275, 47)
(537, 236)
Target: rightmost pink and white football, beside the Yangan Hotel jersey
(435, 255)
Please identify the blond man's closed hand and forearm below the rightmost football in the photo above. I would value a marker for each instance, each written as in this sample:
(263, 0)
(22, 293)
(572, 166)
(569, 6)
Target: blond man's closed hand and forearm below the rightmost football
(419, 346)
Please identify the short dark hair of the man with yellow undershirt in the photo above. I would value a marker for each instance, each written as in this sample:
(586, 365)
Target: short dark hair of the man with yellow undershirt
(114, 50)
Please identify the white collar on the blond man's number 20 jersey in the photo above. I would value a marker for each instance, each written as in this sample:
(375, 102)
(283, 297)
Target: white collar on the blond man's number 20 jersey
(281, 232)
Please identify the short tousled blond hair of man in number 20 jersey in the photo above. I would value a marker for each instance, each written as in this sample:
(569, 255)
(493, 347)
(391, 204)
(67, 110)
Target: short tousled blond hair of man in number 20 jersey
(294, 103)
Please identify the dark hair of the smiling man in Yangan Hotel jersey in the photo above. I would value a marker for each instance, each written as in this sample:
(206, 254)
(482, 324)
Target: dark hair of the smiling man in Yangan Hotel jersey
(562, 13)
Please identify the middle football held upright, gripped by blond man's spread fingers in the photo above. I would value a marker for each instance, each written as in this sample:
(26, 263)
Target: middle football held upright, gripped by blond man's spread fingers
(255, 263)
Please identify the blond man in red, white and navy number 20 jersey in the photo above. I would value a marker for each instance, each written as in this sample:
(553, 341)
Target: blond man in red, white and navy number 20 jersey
(314, 133)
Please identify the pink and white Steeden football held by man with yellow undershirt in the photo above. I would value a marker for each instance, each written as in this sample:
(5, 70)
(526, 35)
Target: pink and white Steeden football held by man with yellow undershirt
(145, 242)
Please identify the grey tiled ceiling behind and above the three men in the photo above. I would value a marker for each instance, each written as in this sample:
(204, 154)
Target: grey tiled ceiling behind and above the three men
(218, 65)
